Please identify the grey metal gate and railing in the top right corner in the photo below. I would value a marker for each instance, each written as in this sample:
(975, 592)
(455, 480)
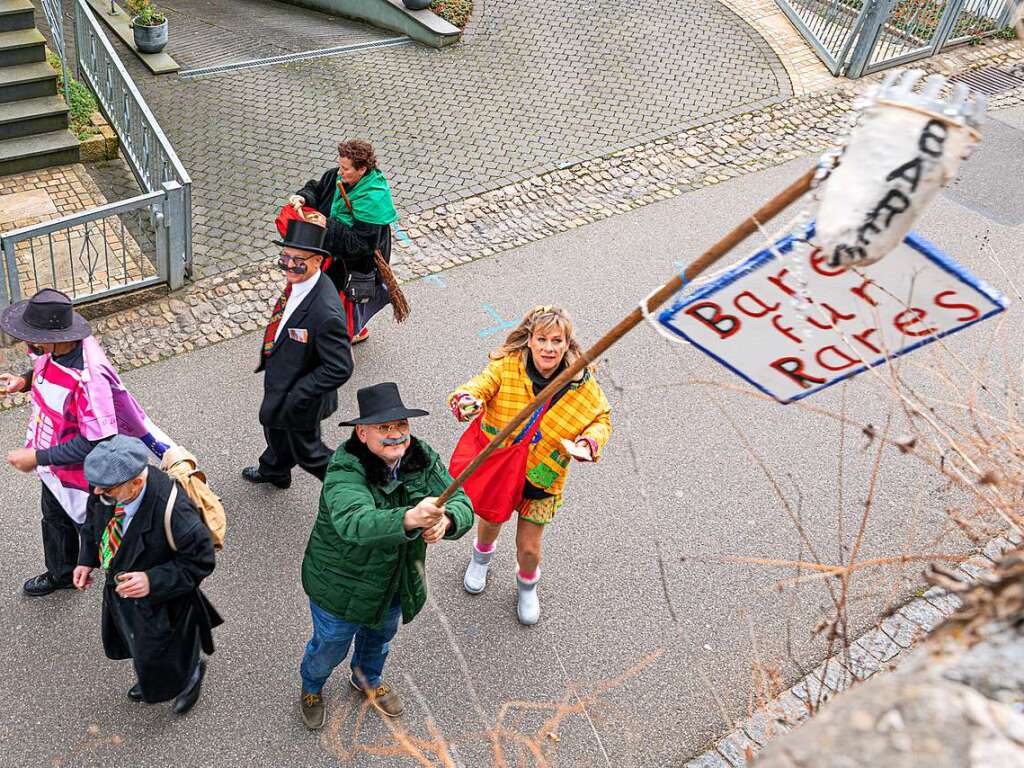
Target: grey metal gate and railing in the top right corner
(860, 37)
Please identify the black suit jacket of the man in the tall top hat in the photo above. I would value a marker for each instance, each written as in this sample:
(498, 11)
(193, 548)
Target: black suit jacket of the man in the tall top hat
(302, 379)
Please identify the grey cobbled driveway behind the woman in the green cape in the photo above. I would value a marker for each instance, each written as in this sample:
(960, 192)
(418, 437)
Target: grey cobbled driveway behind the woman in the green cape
(538, 86)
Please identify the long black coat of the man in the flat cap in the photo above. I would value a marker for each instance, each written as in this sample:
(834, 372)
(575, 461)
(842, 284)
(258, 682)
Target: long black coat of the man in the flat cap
(166, 623)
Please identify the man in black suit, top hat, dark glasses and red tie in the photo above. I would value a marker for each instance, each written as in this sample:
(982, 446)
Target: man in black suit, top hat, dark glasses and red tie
(307, 356)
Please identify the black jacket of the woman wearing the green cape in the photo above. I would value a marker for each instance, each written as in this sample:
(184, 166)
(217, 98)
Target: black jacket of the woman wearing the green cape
(352, 247)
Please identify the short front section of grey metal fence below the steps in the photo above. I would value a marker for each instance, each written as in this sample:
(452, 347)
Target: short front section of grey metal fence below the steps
(95, 254)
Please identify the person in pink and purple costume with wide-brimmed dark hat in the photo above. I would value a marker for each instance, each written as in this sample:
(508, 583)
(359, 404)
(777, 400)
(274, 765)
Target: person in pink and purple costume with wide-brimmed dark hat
(78, 400)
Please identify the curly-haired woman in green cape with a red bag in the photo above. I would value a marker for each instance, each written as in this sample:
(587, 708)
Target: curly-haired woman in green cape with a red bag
(355, 200)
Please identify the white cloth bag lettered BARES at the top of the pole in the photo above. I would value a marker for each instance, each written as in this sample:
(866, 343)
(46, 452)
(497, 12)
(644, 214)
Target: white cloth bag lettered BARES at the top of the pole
(907, 147)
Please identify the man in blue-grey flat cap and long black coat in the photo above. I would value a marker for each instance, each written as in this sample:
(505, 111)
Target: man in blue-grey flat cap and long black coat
(155, 550)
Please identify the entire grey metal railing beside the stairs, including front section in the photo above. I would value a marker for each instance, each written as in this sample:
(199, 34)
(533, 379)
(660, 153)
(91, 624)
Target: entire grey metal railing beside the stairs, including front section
(120, 247)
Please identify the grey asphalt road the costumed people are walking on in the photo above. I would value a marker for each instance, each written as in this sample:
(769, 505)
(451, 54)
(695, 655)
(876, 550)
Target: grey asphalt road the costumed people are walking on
(676, 479)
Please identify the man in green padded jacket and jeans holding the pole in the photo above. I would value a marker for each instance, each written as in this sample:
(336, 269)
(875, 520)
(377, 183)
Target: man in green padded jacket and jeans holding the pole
(364, 568)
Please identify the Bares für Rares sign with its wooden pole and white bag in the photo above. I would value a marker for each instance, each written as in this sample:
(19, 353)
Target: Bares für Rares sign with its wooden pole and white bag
(909, 147)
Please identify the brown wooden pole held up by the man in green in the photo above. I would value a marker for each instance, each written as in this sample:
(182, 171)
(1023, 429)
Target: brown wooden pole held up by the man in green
(764, 215)
